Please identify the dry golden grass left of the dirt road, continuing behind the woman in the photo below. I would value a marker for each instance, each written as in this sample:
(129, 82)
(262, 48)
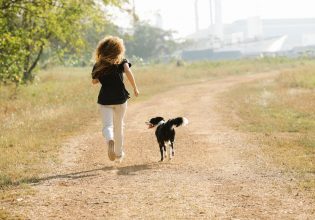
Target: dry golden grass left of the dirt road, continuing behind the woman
(62, 102)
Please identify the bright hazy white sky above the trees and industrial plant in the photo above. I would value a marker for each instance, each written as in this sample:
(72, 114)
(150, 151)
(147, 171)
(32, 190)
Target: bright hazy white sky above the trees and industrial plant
(179, 15)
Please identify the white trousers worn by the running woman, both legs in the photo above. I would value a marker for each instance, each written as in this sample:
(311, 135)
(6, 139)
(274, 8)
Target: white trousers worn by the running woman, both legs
(113, 124)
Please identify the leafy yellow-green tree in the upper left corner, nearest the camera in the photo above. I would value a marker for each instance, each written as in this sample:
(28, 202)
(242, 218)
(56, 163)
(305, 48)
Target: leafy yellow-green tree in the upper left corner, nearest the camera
(27, 27)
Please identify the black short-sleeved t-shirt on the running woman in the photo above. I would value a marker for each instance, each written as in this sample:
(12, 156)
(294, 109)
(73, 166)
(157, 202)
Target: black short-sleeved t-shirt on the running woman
(113, 91)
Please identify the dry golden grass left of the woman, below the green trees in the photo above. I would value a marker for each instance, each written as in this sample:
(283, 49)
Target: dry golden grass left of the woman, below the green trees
(34, 123)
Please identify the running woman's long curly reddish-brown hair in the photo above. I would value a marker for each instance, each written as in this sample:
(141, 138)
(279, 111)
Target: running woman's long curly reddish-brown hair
(109, 51)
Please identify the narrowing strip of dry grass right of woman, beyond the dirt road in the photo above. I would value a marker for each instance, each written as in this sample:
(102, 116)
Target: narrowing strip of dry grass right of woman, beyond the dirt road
(153, 79)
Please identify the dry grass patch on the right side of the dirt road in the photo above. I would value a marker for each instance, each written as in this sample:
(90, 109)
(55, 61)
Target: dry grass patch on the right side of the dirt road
(281, 113)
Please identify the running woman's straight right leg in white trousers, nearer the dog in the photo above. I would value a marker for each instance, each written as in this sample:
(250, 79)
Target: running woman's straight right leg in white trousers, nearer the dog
(119, 114)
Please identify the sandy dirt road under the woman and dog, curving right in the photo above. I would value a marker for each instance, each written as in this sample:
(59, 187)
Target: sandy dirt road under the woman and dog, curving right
(216, 173)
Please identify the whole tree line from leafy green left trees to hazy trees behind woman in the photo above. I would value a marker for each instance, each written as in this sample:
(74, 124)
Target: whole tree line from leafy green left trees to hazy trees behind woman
(35, 33)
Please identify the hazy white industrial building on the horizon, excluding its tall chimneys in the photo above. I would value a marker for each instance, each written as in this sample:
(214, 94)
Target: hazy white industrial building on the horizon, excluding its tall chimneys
(254, 36)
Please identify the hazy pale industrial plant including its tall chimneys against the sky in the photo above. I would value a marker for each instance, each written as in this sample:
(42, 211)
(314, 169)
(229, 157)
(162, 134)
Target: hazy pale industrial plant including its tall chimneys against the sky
(249, 37)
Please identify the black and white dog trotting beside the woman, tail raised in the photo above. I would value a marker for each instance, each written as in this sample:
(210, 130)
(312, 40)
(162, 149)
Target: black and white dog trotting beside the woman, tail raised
(165, 133)
